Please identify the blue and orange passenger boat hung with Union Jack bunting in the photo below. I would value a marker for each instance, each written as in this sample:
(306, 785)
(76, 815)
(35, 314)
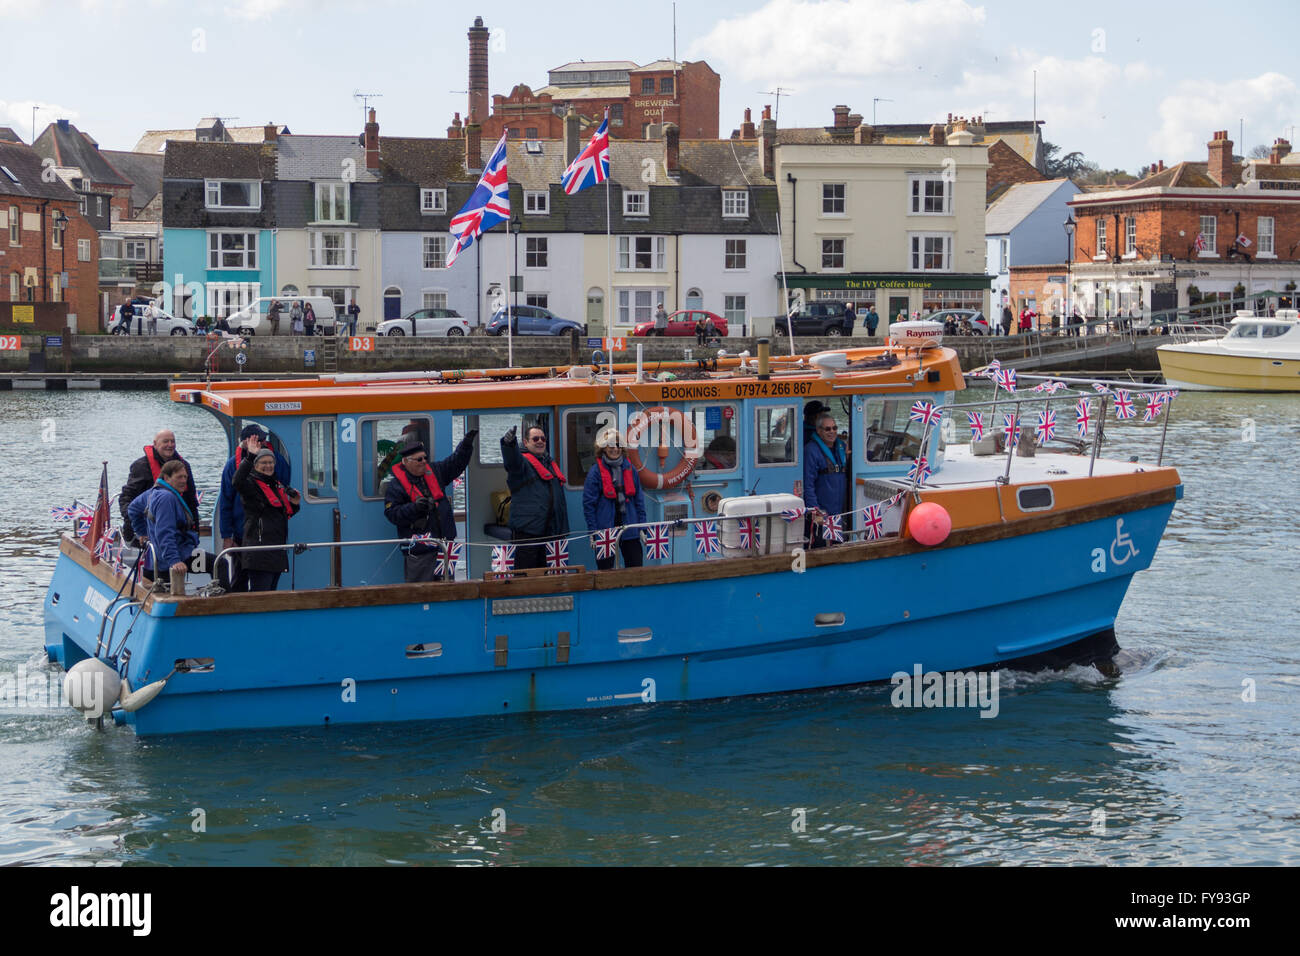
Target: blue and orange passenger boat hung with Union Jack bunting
(734, 602)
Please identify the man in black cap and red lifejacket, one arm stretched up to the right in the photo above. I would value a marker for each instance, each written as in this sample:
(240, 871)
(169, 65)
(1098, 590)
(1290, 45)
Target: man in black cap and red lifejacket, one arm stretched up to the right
(418, 504)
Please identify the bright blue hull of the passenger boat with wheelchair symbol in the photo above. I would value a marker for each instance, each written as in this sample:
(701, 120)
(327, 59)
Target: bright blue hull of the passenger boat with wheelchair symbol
(956, 608)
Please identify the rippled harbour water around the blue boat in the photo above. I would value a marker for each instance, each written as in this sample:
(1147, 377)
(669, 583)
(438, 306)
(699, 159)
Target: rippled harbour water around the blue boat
(1186, 758)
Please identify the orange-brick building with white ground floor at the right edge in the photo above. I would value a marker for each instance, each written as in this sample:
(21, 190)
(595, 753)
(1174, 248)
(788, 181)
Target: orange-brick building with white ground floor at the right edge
(1215, 231)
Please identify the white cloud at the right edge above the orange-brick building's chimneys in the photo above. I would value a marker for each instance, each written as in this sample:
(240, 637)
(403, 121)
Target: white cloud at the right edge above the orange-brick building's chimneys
(1189, 116)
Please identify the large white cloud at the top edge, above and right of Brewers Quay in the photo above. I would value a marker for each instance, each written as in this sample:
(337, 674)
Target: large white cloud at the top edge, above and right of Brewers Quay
(818, 42)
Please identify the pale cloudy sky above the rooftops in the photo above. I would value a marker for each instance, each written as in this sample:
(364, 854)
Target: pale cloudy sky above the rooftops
(1123, 83)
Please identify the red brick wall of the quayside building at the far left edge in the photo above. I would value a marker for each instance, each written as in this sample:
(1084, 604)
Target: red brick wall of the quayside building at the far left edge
(83, 295)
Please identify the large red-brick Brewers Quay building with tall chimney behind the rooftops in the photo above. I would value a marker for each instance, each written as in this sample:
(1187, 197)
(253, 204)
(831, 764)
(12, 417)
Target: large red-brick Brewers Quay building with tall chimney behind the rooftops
(638, 97)
